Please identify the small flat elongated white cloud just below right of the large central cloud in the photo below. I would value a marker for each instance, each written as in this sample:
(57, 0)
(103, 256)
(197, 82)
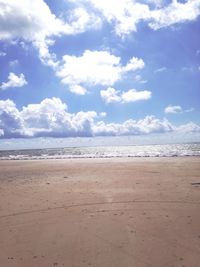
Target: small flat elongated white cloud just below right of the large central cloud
(112, 96)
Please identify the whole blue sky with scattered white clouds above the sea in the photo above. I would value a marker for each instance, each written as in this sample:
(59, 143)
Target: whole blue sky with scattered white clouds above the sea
(90, 68)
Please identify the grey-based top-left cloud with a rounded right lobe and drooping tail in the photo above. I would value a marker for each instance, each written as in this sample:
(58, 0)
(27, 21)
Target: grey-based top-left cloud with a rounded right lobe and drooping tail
(34, 22)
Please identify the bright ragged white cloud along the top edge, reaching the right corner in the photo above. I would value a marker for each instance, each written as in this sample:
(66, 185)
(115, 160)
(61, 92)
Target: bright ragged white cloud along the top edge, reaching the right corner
(126, 14)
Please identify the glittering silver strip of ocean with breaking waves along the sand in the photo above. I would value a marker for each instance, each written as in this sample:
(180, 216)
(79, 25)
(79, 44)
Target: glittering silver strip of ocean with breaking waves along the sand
(171, 150)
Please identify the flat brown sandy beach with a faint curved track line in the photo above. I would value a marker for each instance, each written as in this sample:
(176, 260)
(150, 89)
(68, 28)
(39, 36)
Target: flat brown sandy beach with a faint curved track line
(100, 212)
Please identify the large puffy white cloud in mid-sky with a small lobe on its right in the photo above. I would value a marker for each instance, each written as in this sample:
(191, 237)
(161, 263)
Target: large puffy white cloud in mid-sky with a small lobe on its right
(95, 68)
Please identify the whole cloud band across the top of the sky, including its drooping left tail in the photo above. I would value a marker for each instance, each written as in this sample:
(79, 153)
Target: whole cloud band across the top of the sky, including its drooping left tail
(33, 21)
